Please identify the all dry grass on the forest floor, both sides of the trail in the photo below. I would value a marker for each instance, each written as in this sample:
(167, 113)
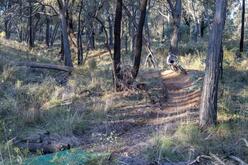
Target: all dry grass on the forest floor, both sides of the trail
(33, 99)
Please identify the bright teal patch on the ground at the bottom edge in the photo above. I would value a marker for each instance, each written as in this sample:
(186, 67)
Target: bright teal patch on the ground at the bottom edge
(68, 157)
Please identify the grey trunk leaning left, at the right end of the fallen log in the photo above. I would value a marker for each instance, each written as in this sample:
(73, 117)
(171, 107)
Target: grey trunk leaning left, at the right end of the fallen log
(66, 44)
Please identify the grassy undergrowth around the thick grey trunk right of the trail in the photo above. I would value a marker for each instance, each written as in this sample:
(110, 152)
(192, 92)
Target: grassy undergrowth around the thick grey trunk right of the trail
(228, 138)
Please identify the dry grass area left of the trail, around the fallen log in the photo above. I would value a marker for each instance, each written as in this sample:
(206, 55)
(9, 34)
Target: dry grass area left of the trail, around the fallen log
(32, 99)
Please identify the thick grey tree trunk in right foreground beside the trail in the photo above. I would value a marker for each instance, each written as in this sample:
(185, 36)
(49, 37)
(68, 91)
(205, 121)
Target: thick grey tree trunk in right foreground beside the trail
(208, 107)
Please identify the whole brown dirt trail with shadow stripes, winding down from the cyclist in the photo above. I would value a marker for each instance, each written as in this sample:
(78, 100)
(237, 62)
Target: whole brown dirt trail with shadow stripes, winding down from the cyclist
(136, 125)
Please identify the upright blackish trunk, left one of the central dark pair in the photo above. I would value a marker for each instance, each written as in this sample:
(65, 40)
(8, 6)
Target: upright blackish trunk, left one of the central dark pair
(117, 42)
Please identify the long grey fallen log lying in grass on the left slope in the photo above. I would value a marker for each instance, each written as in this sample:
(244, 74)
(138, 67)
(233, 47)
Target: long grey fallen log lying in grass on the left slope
(45, 66)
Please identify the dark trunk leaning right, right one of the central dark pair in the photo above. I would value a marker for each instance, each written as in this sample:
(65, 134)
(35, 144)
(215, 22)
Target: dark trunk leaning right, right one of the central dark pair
(139, 39)
